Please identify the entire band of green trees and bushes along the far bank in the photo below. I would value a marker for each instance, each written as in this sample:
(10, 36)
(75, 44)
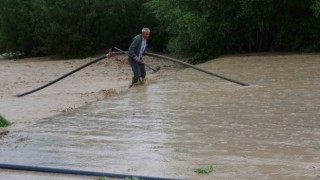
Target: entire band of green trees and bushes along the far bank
(198, 28)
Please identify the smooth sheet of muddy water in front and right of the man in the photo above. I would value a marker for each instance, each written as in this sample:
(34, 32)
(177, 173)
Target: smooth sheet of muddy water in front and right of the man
(269, 130)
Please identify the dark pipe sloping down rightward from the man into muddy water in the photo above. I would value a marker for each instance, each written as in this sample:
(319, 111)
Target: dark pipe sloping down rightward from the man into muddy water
(194, 67)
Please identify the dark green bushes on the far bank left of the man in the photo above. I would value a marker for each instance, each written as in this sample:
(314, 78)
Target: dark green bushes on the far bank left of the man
(71, 28)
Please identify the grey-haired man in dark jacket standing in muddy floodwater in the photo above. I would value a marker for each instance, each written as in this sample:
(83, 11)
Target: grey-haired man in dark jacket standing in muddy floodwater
(136, 49)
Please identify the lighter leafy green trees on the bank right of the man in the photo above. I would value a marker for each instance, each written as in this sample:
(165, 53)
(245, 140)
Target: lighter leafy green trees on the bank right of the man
(212, 27)
